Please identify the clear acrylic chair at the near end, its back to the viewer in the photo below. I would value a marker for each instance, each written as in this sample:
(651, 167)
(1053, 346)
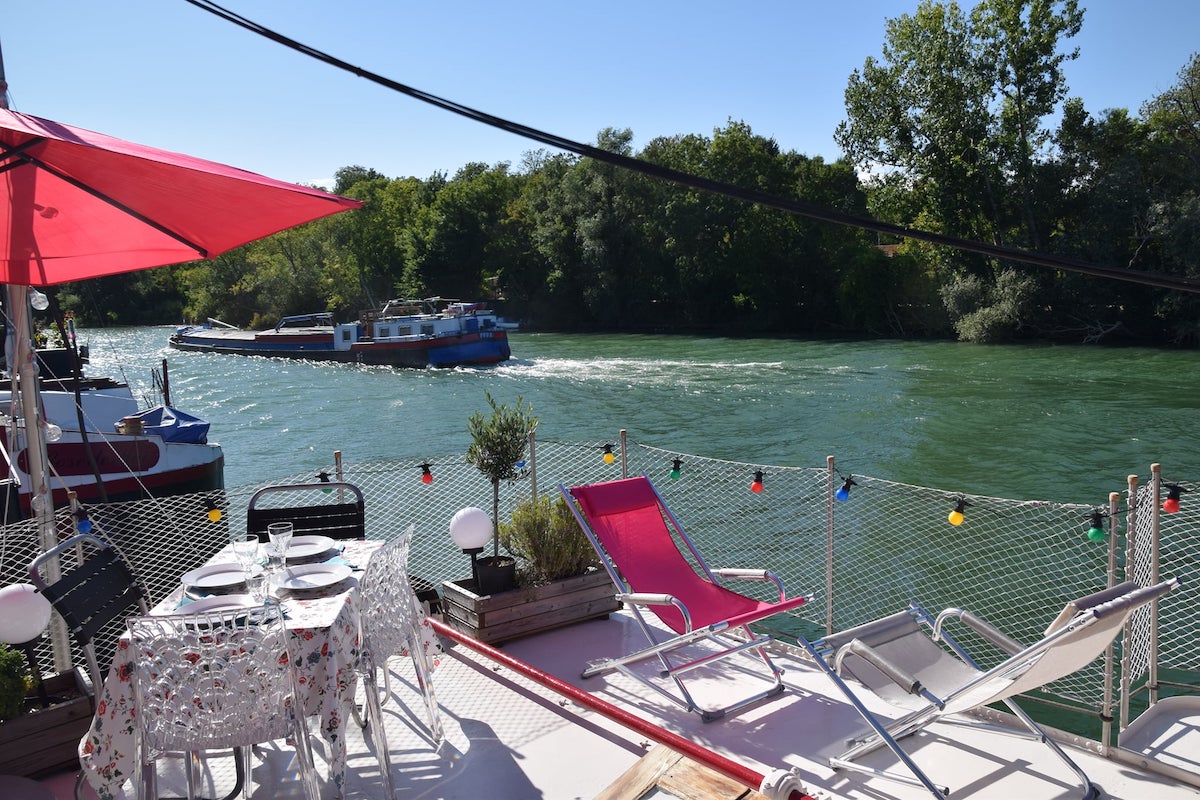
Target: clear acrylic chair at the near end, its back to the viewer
(215, 681)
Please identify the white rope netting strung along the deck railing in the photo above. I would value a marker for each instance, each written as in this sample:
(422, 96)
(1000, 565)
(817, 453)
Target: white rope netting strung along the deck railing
(1016, 563)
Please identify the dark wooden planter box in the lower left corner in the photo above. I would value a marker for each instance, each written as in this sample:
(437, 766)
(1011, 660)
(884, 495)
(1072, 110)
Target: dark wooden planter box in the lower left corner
(43, 742)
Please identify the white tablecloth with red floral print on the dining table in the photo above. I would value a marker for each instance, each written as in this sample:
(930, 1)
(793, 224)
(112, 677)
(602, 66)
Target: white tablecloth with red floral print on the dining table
(325, 647)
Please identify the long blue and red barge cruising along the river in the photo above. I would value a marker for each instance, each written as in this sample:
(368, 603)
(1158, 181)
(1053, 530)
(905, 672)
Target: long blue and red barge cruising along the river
(430, 333)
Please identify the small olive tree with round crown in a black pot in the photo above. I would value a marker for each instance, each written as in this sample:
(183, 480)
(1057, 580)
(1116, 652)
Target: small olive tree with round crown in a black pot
(499, 443)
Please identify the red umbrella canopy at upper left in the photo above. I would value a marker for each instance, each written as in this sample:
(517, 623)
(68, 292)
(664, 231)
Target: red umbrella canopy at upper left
(79, 204)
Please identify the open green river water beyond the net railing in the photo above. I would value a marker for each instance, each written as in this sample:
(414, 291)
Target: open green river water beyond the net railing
(1064, 424)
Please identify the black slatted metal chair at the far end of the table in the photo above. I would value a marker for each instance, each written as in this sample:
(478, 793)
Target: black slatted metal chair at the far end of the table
(334, 509)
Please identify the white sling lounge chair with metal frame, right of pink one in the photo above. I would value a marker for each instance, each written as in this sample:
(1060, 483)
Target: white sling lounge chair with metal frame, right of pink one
(899, 659)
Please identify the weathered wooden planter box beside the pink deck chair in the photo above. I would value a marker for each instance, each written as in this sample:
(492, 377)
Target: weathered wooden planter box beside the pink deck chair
(521, 612)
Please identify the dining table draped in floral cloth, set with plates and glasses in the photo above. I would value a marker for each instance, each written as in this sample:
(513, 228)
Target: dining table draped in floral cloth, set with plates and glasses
(323, 624)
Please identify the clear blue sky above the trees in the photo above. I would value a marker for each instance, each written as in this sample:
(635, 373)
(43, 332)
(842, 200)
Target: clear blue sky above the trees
(166, 74)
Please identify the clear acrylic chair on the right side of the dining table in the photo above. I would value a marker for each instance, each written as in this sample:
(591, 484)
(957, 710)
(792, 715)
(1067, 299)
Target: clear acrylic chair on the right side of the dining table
(391, 625)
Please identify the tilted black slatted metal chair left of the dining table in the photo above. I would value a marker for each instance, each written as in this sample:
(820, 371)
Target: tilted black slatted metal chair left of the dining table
(99, 591)
